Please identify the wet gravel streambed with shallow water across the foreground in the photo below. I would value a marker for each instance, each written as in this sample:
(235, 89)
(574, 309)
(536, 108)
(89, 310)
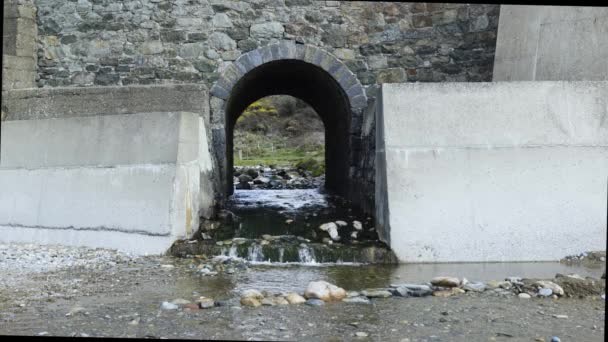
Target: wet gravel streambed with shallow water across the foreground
(67, 291)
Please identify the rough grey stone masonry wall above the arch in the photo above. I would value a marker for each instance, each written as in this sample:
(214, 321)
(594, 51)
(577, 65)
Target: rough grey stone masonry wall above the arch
(109, 42)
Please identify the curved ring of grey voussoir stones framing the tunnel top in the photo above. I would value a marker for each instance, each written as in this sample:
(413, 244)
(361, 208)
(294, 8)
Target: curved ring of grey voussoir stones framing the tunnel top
(290, 50)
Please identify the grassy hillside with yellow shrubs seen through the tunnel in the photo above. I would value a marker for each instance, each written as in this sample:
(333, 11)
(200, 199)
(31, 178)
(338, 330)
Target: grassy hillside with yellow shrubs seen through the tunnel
(280, 131)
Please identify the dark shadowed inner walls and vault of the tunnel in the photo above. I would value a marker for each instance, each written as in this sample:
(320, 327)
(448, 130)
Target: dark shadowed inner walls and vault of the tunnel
(310, 84)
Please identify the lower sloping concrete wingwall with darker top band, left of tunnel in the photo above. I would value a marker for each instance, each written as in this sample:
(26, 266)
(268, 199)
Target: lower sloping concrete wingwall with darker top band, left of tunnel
(110, 168)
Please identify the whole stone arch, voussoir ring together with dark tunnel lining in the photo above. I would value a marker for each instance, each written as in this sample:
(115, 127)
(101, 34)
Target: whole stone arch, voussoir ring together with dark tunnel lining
(303, 71)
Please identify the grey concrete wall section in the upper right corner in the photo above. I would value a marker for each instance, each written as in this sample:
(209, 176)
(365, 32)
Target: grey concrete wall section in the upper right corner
(544, 43)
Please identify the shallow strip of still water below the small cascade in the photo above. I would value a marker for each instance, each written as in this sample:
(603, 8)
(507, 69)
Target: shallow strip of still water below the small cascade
(278, 278)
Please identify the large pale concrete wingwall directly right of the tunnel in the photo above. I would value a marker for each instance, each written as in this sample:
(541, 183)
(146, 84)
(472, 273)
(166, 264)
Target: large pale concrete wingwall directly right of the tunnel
(505, 171)
